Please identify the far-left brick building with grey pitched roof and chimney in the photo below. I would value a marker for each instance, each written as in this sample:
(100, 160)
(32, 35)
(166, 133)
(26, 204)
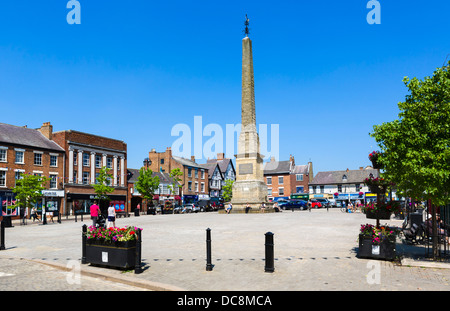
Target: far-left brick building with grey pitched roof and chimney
(30, 151)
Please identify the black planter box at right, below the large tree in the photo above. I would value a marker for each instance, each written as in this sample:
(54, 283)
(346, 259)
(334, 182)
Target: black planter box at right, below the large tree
(386, 250)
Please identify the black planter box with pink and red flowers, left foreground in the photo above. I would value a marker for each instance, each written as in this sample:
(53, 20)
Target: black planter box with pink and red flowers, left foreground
(115, 254)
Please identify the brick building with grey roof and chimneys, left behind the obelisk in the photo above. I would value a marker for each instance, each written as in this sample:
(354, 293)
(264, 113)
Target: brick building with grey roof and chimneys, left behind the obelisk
(194, 180)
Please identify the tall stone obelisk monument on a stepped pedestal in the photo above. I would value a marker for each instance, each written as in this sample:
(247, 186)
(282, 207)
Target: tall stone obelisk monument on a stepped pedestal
(249, 187)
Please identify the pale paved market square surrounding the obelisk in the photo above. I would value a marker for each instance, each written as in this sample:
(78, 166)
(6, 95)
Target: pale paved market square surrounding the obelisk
(313, 251)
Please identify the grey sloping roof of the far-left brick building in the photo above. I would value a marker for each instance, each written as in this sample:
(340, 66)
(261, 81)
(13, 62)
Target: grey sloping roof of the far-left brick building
(24, 136)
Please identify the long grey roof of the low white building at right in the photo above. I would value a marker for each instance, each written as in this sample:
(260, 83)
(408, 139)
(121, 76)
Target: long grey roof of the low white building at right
(336, 177)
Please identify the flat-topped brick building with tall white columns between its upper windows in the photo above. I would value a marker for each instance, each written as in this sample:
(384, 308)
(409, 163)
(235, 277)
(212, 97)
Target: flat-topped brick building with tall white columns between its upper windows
(85, 155)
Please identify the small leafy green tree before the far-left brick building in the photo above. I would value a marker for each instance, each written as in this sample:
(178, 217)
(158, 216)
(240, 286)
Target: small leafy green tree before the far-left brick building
(28, 190)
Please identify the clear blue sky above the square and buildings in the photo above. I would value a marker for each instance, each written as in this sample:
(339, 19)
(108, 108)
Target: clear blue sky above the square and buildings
(132, 70)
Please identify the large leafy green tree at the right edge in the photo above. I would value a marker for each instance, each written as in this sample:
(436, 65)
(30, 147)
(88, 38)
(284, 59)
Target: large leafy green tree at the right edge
(415, 152)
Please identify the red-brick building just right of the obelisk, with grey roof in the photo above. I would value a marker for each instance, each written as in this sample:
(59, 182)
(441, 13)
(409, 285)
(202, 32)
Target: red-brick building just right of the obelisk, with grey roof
(285, 180)
